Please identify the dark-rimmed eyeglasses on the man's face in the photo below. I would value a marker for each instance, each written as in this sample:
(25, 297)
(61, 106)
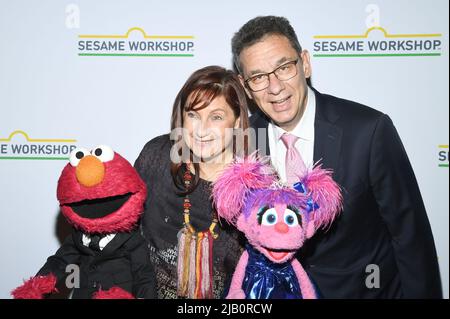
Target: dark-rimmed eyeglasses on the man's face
(261, 81)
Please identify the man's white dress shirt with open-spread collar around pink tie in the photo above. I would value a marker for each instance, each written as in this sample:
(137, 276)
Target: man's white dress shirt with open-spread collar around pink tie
(305, 144)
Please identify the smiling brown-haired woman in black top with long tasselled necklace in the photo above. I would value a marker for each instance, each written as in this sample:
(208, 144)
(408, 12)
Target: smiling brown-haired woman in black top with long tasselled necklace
(194, 256)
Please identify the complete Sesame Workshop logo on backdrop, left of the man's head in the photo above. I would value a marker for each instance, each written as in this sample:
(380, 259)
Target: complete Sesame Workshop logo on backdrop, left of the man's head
(136, 43)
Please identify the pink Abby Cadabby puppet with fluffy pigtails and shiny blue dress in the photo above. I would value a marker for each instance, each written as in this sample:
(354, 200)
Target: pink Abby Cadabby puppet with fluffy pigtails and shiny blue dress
(276, 220)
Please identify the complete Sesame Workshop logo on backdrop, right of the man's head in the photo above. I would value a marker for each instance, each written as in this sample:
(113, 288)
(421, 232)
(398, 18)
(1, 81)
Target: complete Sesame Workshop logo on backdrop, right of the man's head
(377, 42)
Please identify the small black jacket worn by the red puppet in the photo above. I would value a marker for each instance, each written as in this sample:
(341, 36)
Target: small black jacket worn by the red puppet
(124, 263)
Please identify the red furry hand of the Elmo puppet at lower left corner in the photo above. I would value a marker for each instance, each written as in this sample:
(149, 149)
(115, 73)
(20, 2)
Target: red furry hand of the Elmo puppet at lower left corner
(36, 287)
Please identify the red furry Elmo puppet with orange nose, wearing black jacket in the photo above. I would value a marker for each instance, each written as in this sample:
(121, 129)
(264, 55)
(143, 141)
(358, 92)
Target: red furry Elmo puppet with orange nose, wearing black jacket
(102, 196)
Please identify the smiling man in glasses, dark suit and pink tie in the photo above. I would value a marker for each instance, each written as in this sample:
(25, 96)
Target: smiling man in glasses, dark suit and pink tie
(382, 245)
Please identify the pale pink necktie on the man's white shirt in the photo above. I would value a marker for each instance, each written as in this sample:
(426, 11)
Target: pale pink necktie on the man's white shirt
(295, 167)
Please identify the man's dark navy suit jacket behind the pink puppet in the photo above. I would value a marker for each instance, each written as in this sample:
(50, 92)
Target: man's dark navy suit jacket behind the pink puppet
(383, 222)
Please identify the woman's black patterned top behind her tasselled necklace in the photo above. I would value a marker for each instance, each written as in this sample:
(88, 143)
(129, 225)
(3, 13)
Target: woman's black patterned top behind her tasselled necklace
(163, 219)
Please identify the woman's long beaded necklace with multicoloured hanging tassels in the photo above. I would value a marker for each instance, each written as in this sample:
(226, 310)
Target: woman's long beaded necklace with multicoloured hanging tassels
(195, 254)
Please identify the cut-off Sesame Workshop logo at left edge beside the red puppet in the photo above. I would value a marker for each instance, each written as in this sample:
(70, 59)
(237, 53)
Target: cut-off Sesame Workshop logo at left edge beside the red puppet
(19, 146)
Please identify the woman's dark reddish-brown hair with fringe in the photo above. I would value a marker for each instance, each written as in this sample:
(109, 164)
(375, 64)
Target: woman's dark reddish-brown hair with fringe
(202, 87)
